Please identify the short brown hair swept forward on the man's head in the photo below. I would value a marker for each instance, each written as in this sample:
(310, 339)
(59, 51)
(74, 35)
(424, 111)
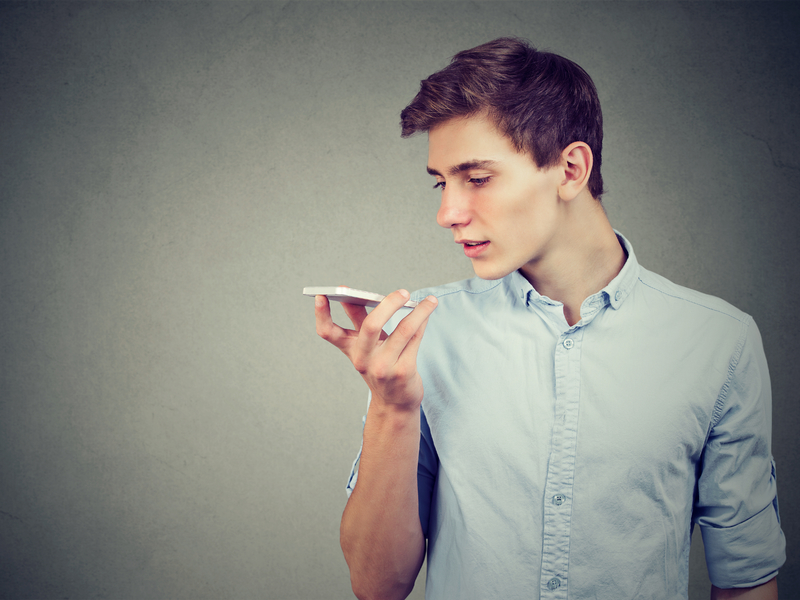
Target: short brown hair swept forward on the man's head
(543, 102)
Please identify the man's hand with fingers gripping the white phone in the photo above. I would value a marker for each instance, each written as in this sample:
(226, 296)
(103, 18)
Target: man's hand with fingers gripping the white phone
(388, 364)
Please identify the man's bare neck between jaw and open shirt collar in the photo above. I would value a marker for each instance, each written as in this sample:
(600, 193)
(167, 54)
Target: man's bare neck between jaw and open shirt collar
(584, 256)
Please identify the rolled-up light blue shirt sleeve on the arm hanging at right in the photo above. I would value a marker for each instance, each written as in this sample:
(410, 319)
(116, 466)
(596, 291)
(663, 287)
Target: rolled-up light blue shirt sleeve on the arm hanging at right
(737, 502)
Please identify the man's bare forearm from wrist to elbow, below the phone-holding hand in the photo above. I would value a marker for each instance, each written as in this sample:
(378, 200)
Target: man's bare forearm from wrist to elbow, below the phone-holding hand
(381, 535)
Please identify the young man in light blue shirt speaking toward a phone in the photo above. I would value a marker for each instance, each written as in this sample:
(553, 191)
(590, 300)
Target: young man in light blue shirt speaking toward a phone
(570, 415)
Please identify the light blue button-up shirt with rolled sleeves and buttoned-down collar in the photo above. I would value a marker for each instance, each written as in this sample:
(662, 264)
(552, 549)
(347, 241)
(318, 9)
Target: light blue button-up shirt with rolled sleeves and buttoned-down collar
(572, 462)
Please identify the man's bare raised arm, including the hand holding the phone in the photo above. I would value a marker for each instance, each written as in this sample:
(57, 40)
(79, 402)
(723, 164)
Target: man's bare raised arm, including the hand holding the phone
(380, 533)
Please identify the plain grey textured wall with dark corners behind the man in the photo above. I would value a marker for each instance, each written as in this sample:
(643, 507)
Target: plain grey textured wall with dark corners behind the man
(174, 173)
